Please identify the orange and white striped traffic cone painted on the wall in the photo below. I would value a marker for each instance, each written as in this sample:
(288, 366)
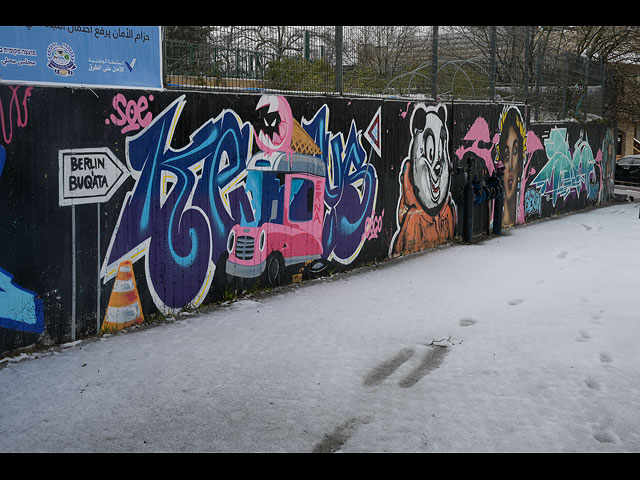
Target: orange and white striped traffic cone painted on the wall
(124, 309)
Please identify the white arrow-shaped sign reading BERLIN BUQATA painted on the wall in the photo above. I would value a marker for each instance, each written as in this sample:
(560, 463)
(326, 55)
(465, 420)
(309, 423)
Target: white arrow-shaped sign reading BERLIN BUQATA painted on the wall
(89, 175)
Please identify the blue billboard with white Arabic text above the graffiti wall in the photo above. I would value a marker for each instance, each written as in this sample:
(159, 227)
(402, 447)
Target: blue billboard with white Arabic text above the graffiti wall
(89, 56)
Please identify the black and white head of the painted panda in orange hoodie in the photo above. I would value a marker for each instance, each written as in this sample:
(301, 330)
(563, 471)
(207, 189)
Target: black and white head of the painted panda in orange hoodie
(429, 156)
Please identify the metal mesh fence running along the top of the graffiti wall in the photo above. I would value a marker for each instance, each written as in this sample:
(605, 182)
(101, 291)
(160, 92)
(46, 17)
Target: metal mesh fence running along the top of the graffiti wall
(504, 64)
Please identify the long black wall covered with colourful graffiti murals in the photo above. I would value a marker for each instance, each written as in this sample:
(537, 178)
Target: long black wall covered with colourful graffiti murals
(180, 198)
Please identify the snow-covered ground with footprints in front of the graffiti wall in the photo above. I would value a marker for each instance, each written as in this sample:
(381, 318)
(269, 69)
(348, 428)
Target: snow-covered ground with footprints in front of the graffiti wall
(523, 343)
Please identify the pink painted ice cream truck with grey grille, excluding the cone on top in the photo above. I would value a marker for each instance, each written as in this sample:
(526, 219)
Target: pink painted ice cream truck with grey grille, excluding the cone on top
(286, 191)
